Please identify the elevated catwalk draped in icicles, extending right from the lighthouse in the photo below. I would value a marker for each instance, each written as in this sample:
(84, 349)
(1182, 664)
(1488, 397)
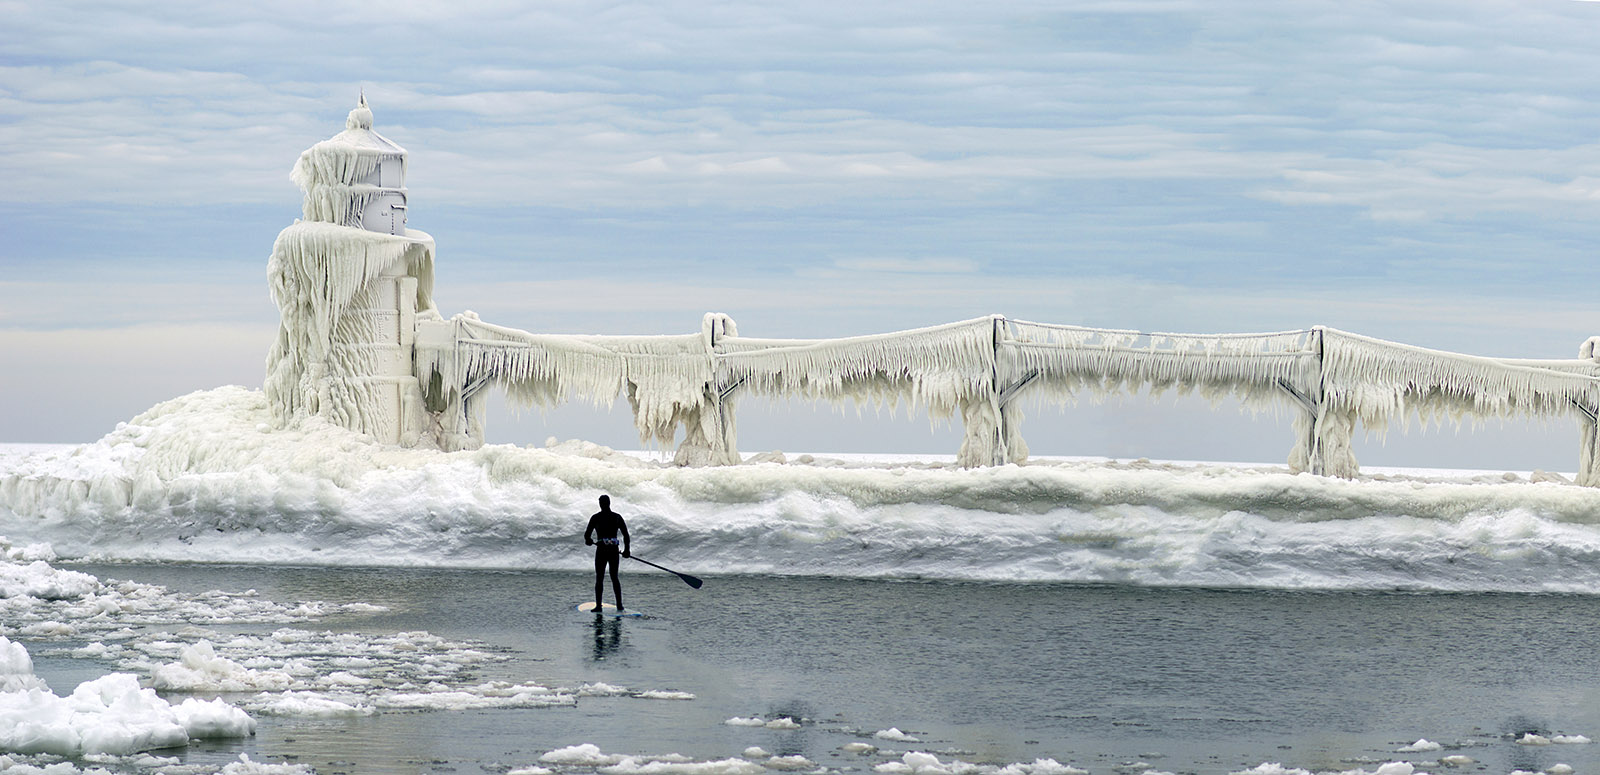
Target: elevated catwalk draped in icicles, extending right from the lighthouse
(985, 369)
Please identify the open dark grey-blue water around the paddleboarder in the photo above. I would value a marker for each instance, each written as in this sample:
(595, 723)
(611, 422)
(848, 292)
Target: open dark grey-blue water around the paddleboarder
(1100, 678)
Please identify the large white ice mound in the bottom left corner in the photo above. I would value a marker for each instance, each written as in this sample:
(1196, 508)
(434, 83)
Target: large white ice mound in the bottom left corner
(111, 715)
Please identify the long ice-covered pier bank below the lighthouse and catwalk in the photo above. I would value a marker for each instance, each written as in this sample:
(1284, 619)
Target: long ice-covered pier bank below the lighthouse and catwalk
(204, 480)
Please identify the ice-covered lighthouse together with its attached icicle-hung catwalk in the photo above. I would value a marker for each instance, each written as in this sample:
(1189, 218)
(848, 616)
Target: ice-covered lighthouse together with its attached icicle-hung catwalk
(361, 345)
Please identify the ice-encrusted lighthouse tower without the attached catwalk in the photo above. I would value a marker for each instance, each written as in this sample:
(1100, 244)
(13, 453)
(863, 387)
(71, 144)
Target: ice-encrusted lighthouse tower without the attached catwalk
(350, 281)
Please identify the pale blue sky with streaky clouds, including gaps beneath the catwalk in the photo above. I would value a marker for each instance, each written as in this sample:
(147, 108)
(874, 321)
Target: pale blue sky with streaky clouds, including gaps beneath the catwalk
(1423, 172)
